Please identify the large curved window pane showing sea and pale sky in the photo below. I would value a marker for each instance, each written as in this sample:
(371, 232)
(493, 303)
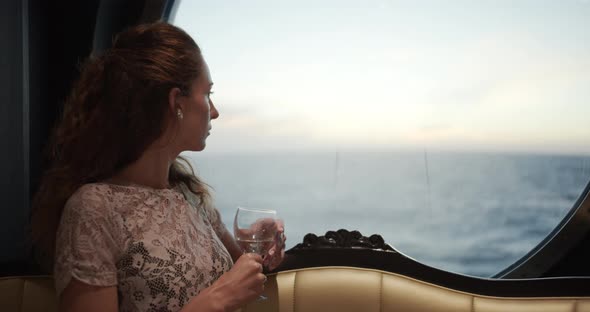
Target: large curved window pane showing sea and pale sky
(456, 130)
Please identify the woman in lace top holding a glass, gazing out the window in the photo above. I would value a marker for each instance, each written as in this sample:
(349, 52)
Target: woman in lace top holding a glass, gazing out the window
(129, 227)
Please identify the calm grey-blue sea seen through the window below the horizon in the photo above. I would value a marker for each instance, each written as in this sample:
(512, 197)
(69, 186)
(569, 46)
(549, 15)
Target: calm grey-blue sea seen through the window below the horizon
(470, 213)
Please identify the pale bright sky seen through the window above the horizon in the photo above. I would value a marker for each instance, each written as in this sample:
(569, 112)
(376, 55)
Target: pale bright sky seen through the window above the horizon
(451, 75)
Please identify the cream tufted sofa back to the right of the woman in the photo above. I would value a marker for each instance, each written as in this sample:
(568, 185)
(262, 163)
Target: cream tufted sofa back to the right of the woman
(345, 289)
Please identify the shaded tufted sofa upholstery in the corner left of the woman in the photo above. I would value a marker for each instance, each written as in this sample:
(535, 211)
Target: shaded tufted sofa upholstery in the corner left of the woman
(27, 294)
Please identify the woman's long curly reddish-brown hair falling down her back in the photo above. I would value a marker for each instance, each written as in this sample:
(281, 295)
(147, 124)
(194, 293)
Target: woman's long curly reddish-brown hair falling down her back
(115, 110)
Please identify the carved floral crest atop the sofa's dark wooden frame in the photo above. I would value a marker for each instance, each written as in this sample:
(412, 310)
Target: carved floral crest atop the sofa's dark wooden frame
(343, 239)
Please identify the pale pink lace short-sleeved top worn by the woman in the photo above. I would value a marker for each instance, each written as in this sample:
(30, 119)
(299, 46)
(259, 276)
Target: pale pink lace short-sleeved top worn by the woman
(160, 247)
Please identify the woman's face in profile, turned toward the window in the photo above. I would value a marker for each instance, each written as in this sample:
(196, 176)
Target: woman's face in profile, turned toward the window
(198, 111)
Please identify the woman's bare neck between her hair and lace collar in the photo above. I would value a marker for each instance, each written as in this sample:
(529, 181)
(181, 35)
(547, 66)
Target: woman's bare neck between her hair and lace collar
(150, 170)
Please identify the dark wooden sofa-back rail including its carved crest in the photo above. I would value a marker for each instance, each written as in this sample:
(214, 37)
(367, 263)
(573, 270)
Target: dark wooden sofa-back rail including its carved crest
(352, 249)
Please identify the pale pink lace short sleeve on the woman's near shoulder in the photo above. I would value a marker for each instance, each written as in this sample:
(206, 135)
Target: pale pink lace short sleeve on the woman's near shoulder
(86, 247)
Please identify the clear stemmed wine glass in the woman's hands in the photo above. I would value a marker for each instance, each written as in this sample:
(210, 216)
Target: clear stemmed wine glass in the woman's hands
(255, 231)
